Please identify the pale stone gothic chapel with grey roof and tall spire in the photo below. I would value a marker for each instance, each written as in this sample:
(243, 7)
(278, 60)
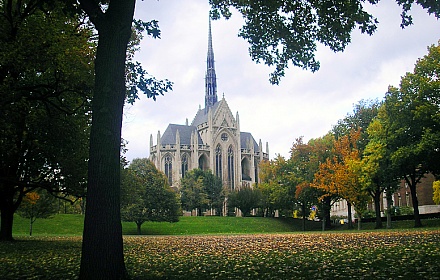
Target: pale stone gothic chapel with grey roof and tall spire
(212, 141)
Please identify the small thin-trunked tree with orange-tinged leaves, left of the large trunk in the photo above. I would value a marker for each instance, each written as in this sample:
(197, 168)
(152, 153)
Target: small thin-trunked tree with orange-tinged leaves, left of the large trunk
(36, 205)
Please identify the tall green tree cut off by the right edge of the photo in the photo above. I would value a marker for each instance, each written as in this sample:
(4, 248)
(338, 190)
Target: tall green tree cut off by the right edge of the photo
(413, 120)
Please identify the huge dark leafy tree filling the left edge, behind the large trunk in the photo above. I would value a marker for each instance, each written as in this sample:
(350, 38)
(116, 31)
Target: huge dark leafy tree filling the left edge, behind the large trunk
(46, 66)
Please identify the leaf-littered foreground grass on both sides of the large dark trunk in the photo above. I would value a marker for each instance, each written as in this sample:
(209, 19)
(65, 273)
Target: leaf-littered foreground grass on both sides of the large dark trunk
(398, 254)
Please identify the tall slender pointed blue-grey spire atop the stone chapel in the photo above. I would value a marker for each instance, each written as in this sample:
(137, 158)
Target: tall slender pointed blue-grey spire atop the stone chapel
(210, 77)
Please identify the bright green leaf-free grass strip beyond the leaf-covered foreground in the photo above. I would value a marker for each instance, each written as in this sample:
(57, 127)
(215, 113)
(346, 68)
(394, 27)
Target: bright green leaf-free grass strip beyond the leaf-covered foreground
(72, 225)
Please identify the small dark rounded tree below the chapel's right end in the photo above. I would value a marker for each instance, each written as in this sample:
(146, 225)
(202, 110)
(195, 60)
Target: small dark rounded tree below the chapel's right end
(245, 199)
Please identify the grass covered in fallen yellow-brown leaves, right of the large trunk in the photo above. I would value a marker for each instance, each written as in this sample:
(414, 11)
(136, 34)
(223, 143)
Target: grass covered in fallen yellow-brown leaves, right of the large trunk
(385, 255)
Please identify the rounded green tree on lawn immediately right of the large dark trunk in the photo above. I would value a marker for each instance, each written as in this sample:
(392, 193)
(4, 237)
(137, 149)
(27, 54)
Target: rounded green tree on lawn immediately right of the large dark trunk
(146, 196)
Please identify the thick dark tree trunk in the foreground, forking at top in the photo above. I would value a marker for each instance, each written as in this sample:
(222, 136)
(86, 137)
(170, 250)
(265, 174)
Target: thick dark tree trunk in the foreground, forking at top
(102, 248)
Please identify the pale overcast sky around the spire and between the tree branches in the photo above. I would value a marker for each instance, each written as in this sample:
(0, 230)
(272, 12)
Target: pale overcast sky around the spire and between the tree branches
(304, 104)
